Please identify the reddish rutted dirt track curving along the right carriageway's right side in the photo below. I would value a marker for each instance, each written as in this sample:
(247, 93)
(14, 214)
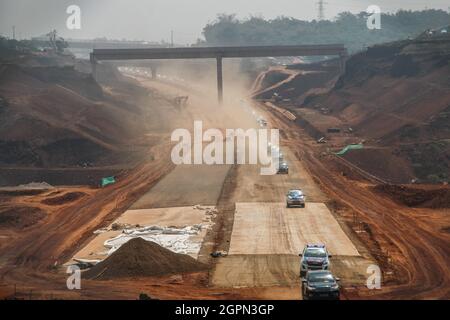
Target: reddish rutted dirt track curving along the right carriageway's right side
(412, 250)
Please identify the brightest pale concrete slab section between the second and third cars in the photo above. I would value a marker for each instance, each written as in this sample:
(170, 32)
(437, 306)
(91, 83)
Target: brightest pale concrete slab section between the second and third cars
(271, 228)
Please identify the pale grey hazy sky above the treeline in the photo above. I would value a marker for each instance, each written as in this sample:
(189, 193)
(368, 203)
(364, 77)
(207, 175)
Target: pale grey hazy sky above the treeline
(152, 20)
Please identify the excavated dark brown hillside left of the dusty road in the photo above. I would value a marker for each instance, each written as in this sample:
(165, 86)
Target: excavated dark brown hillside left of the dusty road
(54, 114)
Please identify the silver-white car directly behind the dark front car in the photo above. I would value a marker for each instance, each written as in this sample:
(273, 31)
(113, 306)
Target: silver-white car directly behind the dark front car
(314, 257)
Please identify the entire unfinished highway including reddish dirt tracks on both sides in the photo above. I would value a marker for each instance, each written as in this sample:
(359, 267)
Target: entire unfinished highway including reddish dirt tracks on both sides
(261, 237)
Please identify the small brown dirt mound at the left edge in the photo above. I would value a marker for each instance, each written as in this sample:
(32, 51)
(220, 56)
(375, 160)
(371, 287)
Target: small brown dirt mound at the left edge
(20, 217)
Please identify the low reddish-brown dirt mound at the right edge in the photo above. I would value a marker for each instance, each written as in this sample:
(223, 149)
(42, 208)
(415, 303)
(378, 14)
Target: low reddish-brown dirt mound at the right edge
(422, 197)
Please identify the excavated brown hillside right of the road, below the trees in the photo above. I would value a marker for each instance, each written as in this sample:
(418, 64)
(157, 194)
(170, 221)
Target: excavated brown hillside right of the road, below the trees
(395, 98)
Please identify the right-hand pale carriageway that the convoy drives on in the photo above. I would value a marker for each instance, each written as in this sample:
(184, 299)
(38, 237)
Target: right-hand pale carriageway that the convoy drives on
(267, 237)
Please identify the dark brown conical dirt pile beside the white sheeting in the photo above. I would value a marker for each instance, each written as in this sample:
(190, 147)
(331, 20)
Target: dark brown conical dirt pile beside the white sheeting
(141, 258)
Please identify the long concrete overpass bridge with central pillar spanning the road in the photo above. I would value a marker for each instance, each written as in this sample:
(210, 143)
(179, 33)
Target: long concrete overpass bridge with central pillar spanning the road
(219, 53)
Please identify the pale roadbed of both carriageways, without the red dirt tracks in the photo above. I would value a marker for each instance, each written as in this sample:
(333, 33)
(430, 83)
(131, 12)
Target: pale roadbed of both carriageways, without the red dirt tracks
(266, 237)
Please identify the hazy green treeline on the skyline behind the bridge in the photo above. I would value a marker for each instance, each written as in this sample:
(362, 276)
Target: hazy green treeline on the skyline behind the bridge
(350, 29)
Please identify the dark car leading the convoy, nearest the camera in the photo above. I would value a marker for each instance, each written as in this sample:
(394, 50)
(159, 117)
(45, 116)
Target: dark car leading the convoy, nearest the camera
(320, 285)
